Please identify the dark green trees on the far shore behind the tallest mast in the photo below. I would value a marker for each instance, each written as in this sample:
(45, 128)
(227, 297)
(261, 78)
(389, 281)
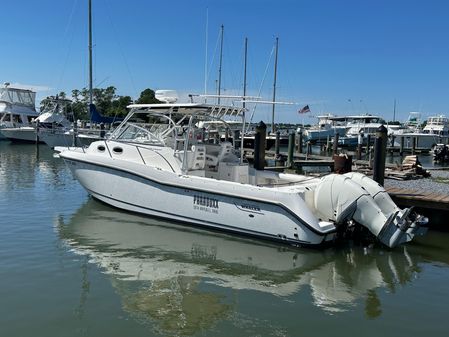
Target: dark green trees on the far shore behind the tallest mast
(108, 103)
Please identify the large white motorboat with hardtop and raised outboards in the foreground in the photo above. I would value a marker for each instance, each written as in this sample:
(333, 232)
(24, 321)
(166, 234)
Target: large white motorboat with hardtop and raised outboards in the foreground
(159, 163)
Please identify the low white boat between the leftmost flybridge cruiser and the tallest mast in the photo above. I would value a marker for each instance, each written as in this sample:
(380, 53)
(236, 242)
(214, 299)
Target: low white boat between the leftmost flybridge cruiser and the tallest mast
(51, 119)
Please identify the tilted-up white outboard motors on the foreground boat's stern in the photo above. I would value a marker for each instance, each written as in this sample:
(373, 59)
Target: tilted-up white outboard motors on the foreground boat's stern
(356, 197)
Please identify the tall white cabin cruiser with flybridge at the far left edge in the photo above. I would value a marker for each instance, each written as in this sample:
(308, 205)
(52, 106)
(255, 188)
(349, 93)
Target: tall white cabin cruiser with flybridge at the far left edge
(17, 107)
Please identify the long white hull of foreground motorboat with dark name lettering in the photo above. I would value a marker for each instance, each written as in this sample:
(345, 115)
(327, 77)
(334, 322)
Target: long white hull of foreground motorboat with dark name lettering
(243, 215)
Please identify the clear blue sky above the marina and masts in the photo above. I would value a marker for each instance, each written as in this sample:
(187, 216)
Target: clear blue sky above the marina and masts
(342, 57)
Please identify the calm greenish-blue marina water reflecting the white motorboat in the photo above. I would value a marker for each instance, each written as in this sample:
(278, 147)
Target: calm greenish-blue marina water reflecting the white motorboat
(71, 266)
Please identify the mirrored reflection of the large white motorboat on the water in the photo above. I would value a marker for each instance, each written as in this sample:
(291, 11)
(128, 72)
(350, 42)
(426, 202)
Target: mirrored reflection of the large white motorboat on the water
(166, 273)
